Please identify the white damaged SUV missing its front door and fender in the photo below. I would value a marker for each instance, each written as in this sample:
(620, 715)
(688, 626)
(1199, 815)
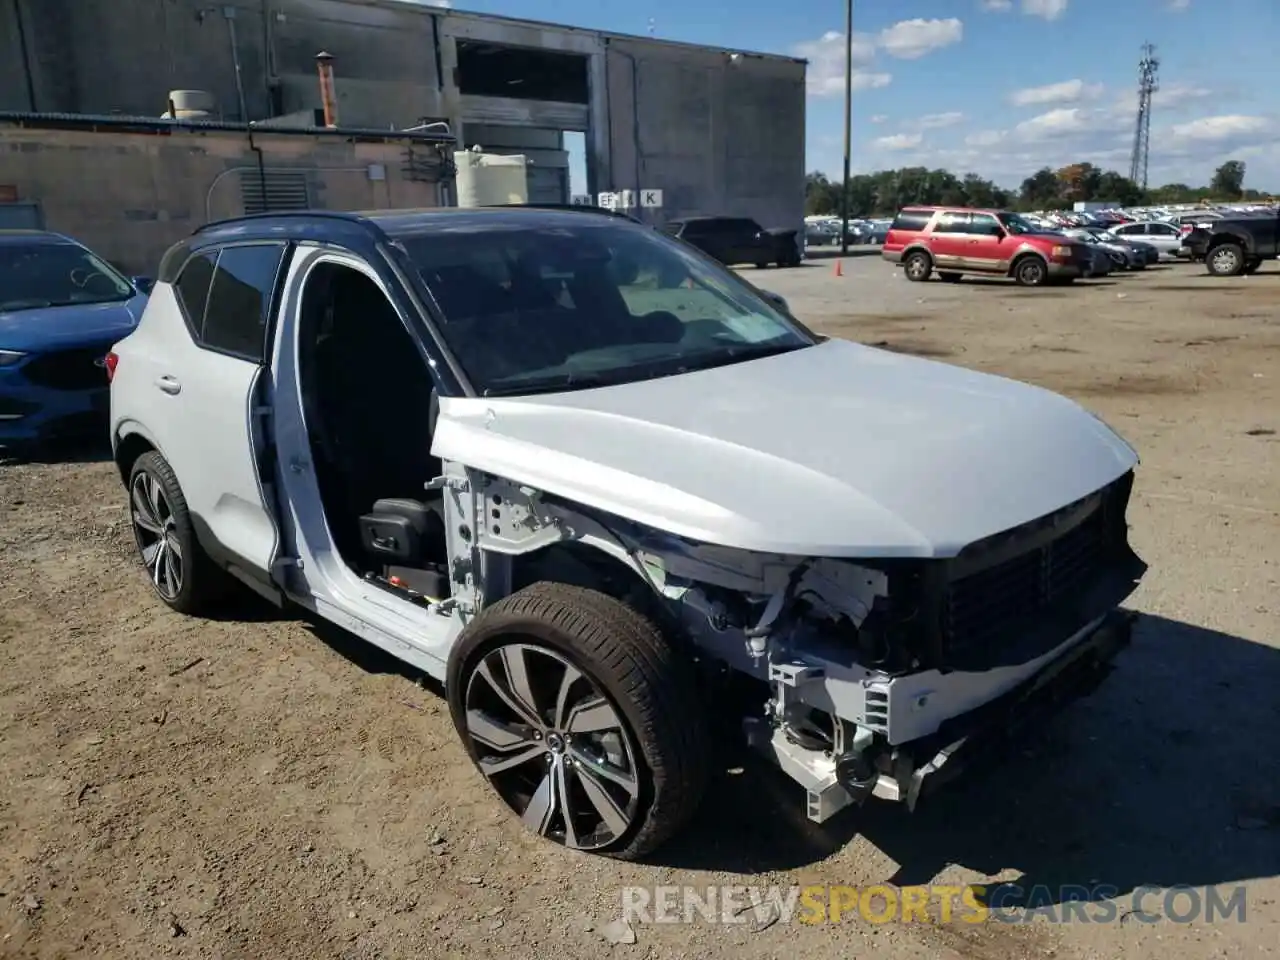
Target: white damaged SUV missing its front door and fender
(606, 491)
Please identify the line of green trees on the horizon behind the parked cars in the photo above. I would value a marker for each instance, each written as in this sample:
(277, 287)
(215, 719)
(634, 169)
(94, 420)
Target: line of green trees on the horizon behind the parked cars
(889, 191)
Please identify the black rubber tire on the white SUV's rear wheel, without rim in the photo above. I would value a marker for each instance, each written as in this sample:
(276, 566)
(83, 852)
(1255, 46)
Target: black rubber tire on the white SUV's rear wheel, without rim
(203, 583)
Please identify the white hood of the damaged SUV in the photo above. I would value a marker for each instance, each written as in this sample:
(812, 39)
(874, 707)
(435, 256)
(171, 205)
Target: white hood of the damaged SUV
(836, 450)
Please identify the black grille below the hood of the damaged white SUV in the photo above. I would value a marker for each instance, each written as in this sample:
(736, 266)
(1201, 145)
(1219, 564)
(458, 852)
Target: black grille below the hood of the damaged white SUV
(993, 606)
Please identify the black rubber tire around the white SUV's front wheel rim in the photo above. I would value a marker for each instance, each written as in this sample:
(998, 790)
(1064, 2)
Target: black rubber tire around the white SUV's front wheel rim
(625, 656)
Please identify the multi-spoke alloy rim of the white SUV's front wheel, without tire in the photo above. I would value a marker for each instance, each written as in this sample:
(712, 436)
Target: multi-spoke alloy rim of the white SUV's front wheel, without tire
(554, 747)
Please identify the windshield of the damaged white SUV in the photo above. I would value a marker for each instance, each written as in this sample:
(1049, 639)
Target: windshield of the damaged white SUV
(556, 308)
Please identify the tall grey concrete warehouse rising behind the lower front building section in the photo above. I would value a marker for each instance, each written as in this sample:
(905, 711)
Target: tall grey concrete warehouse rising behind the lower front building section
(717, 131)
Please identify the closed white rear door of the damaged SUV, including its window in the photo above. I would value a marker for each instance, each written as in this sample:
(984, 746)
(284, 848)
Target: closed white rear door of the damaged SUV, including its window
(216, 382)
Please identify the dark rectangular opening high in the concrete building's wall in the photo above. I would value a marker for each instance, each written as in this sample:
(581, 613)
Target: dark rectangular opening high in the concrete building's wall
(522, 74)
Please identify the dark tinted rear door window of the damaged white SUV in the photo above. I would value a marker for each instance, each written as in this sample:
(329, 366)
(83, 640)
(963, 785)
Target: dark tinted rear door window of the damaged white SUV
(240, 300)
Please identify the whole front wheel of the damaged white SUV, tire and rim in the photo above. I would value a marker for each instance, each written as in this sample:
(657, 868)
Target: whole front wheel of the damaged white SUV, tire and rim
(582, 717)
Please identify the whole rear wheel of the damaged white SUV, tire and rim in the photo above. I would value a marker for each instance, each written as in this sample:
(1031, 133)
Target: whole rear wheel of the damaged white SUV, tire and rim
(179, 569)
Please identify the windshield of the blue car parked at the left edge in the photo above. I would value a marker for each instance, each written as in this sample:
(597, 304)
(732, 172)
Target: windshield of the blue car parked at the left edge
(57, 276)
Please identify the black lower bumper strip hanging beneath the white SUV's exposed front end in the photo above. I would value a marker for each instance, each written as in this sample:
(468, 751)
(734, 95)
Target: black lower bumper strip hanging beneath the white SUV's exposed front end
(988, 735)
